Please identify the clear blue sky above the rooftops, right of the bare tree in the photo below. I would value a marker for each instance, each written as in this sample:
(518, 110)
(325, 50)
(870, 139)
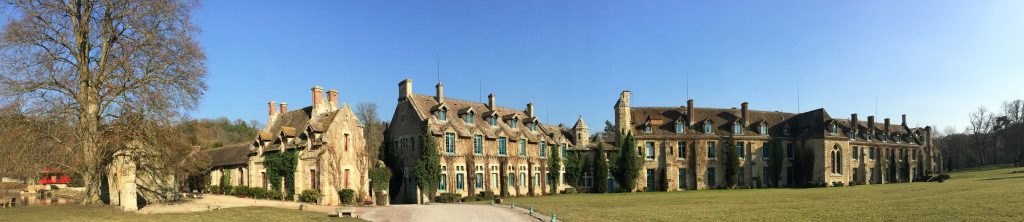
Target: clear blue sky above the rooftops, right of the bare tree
(935, 61)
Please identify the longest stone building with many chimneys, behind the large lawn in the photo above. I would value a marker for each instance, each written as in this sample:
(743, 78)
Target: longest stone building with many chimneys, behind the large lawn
(681, 146)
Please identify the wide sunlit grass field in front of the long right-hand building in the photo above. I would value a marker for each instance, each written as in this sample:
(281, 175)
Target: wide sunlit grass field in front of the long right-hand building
(982, 195)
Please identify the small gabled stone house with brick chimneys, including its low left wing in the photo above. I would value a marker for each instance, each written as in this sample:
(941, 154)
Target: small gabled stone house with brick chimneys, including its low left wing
(326, 137)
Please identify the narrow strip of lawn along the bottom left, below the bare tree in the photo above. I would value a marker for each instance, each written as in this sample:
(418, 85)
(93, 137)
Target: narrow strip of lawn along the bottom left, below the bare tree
(83, 213)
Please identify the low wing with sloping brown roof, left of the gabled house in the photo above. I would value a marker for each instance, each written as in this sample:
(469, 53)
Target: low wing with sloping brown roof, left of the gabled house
(231, 161)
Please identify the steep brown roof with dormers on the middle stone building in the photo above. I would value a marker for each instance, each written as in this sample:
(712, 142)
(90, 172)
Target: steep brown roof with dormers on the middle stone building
(424, 105)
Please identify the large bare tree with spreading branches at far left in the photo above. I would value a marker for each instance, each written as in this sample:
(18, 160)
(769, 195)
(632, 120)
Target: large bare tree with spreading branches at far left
(90, 63)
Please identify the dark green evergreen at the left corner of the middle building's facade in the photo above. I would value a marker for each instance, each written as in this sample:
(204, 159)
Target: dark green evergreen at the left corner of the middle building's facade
(429, 170)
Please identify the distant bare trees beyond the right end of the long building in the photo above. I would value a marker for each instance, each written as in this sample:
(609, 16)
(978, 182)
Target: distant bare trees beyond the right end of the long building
(992, 138)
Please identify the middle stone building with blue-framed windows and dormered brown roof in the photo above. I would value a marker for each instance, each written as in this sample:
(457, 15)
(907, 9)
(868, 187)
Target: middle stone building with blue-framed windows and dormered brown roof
(483, 146)
